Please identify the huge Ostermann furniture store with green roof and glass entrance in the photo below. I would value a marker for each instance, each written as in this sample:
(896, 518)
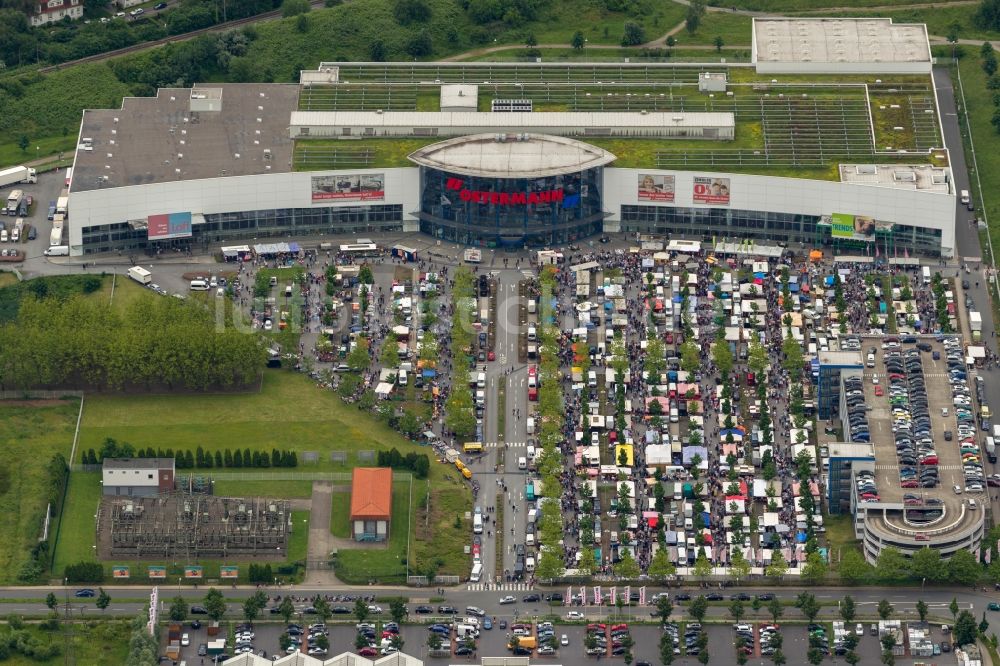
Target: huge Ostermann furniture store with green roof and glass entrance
(538, 154)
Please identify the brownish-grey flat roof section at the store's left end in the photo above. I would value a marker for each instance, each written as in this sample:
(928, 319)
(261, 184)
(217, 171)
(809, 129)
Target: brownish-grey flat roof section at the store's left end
(159, 139)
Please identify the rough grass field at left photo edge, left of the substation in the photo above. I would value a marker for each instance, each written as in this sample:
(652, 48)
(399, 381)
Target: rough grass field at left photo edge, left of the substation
(29, 436)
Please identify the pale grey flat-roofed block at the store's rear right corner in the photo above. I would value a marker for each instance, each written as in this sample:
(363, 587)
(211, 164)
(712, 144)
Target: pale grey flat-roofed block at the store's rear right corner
(839, 40)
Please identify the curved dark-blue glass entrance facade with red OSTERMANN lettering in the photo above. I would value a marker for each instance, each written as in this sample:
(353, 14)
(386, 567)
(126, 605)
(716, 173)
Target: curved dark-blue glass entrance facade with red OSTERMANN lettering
(511, 212)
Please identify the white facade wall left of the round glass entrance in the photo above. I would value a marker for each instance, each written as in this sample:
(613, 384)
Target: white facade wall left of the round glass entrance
(225, 195)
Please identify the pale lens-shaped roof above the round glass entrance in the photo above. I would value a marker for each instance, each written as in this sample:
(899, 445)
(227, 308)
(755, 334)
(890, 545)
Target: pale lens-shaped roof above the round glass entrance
(525, 154)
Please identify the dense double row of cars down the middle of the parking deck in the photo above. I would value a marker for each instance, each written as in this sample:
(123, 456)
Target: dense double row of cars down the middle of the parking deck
(911, 420)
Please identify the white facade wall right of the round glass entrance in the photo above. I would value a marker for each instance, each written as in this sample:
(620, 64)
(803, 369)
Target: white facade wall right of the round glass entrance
(797, 195)
